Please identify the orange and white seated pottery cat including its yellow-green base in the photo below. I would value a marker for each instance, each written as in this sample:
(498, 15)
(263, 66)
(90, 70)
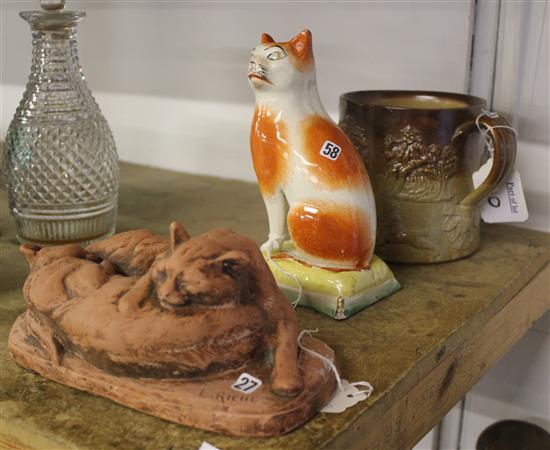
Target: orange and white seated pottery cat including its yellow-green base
(315, 187)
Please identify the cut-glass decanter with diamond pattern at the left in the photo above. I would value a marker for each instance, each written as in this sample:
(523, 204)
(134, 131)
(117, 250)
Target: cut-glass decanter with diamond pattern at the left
(60, 160)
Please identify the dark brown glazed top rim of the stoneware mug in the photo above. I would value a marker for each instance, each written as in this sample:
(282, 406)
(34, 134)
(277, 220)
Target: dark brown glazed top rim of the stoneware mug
(365, 98)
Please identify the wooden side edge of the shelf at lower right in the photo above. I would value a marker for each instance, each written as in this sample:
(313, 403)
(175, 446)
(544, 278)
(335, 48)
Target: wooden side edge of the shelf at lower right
(457, 367)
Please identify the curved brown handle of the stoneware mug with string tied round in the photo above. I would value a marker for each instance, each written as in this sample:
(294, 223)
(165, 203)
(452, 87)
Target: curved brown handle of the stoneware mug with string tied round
(504, 157)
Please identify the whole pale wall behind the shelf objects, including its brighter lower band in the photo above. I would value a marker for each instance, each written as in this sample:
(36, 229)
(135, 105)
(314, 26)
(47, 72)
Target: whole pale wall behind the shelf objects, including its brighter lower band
(170, 76)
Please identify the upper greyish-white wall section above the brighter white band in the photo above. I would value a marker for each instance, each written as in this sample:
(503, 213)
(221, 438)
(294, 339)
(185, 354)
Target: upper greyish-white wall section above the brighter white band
(199, 51)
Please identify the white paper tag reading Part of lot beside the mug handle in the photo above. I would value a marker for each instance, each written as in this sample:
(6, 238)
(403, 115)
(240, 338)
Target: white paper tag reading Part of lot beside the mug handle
(507, 204)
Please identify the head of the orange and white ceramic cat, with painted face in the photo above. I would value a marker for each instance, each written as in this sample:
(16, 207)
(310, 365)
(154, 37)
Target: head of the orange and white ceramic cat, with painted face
(276, 66)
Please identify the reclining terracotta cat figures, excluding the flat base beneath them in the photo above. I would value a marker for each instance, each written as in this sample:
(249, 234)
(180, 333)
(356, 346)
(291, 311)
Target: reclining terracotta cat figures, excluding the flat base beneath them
(139, 305)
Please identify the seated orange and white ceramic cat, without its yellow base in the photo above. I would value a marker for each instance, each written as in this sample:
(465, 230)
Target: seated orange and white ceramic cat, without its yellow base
(312, 179)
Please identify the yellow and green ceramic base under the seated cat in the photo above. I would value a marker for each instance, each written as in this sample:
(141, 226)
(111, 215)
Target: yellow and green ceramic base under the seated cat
(337, 294)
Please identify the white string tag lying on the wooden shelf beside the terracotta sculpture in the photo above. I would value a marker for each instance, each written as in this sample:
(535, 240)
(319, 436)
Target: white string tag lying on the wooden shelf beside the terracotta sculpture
(346, 394)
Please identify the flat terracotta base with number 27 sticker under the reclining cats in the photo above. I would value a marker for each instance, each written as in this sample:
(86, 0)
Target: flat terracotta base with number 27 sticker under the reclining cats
(208, 404)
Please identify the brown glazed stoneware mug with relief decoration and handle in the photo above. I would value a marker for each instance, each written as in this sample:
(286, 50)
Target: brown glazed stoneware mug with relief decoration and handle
(421, 149)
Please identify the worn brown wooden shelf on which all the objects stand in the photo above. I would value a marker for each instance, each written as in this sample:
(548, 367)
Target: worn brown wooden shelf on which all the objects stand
(422, 348)
